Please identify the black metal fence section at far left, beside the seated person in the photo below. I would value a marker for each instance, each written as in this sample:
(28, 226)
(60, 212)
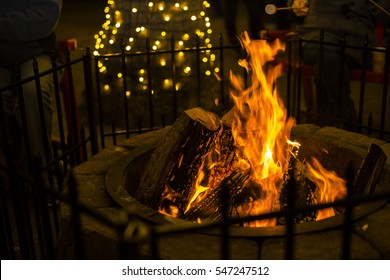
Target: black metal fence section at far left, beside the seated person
(30, 197)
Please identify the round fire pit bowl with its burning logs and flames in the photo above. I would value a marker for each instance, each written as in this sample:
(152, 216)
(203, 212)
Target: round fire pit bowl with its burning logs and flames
(245, 163)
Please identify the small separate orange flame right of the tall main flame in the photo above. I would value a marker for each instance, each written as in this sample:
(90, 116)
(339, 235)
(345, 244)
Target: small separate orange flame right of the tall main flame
(329, 187)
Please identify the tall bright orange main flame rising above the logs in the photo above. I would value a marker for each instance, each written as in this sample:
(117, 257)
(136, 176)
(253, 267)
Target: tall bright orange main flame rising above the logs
(260, 127)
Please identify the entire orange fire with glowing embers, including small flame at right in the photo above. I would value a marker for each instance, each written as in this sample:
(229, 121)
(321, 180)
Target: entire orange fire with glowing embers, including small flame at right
(259, 131)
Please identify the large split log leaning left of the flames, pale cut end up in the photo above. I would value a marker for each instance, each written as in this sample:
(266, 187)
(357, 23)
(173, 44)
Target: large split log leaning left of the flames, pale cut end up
(175, 163)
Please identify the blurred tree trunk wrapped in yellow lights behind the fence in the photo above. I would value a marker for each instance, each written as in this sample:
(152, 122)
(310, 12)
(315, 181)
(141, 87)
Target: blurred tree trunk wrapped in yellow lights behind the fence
(136, 26)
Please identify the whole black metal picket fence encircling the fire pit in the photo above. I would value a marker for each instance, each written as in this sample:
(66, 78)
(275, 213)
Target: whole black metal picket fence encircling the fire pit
(30, 219)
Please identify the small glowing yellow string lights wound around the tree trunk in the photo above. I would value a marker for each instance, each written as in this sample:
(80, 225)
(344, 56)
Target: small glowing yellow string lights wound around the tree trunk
(131, 22)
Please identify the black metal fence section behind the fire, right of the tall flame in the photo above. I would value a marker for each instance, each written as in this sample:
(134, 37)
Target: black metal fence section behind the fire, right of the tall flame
(369, 85)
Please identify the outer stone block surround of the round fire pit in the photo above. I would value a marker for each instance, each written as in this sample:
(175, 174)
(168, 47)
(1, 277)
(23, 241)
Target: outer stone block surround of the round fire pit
(369, 238)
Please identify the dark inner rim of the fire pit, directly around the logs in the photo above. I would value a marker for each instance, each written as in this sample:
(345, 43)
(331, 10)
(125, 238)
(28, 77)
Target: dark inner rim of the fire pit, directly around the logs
(124, 177)
